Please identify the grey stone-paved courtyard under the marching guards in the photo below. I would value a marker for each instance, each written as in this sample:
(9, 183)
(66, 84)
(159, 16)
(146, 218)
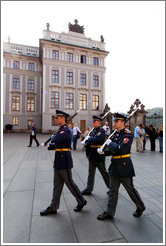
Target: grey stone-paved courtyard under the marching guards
(27, 189)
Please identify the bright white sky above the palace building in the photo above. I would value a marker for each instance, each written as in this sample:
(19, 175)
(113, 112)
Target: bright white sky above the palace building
(134, 36)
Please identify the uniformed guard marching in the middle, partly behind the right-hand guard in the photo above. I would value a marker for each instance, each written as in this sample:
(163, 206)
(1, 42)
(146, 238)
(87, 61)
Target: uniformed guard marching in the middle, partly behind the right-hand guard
(95, 141)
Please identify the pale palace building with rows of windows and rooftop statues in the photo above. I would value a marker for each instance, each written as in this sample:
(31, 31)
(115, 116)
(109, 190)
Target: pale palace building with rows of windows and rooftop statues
(66, 72)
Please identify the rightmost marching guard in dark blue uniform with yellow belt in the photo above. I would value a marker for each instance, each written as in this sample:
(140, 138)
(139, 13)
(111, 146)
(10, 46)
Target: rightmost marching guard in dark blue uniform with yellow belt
(121, 169)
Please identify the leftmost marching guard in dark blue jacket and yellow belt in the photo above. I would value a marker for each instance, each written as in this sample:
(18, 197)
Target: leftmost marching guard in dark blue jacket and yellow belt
(62, 167)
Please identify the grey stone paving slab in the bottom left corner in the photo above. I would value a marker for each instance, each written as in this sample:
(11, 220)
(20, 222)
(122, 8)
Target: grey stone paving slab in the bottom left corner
(17, 210)
